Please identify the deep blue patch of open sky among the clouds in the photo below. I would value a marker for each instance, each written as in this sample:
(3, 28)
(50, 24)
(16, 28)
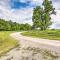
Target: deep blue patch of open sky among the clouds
(16, 4)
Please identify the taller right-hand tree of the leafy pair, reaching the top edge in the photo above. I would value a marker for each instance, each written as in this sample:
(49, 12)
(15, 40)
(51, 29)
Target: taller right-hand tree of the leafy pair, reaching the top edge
(48, 10)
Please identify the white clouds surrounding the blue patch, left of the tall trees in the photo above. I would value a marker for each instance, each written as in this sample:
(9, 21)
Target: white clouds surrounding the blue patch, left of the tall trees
(19, 15)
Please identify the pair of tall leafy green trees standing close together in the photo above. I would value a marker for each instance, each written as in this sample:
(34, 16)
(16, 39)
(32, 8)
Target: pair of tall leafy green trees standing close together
(41, 15)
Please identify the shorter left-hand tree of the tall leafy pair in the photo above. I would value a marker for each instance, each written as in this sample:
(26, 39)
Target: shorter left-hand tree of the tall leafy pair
(37, 16)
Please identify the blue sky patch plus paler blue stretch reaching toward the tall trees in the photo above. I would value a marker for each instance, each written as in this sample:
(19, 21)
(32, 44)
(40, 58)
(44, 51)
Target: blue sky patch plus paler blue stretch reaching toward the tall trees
(18, 4)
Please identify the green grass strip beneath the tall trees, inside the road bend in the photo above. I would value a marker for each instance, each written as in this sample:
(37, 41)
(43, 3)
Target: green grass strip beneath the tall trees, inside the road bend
(47, 34)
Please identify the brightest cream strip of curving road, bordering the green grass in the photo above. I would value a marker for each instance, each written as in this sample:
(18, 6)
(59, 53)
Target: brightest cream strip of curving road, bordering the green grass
(18, 36)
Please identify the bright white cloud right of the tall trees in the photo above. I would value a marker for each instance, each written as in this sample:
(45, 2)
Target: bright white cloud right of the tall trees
(56, 19)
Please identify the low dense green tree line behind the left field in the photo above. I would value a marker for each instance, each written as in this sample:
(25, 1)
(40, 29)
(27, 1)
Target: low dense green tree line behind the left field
(13, 26)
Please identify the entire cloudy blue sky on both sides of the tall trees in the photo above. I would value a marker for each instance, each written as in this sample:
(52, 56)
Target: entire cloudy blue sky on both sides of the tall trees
(21, 11)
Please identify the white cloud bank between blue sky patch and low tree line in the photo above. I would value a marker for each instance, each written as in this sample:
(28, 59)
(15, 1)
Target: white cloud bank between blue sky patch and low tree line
(19, 16)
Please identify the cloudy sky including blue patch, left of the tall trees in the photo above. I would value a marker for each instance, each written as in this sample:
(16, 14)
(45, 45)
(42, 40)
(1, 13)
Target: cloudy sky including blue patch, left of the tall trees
(10, 10)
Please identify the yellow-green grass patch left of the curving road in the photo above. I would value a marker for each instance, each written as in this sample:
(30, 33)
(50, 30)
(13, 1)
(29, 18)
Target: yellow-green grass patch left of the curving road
(6, 42)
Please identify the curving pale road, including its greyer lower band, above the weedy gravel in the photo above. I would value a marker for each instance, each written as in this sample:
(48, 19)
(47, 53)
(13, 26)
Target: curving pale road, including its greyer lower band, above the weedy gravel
(37, 42)
